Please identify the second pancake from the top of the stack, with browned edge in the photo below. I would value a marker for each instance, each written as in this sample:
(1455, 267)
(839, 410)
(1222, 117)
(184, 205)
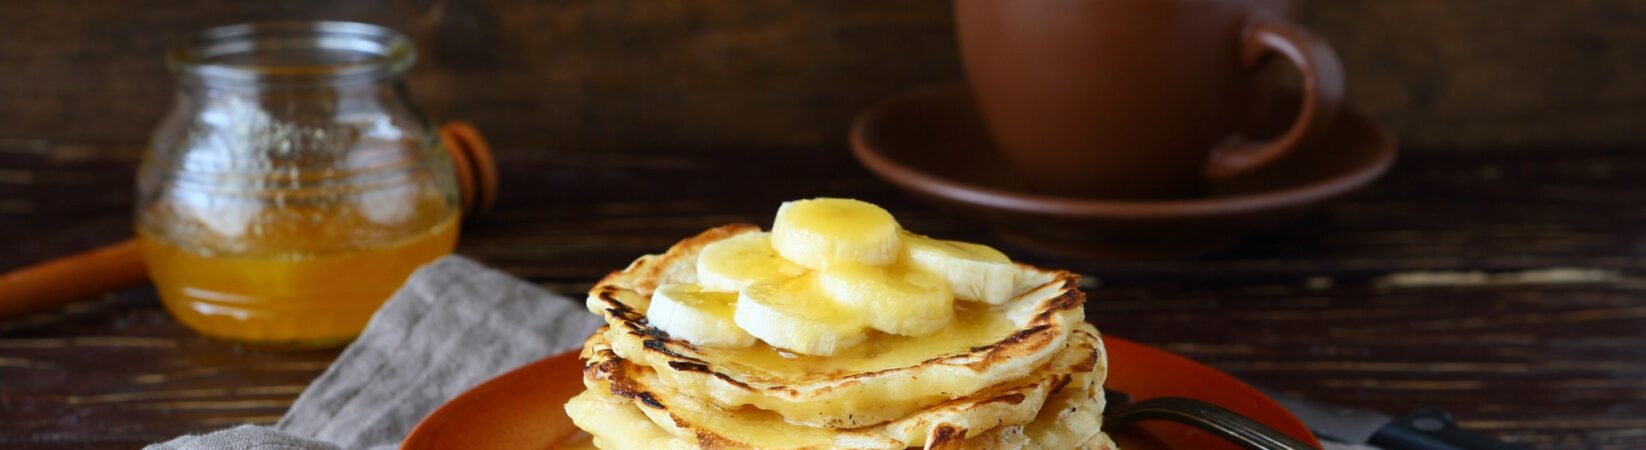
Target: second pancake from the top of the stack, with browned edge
(1081, 367)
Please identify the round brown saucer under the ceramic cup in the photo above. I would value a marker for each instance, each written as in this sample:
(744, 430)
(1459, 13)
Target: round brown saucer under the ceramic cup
(931, 143)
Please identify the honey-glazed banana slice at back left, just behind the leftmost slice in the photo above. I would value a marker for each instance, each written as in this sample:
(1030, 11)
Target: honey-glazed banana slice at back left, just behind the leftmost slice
(735, 263)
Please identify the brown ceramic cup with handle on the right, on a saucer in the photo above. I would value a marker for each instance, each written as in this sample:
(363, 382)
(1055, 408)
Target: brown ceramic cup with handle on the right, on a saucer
(1138, 98)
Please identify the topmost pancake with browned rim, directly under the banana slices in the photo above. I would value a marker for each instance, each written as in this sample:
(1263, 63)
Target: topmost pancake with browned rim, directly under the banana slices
(875, 383)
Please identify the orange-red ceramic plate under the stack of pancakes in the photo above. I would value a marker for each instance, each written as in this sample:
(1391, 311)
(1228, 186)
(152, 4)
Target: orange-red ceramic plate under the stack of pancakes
(523, 408)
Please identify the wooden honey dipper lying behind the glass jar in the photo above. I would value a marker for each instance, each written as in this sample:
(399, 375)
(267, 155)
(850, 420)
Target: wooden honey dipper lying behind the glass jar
(119, 266)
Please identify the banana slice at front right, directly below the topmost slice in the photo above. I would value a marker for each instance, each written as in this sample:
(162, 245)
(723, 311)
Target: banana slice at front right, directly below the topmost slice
(895, 299)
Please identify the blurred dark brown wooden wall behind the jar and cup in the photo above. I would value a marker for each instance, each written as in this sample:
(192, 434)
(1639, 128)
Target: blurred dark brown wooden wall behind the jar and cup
(85, 82)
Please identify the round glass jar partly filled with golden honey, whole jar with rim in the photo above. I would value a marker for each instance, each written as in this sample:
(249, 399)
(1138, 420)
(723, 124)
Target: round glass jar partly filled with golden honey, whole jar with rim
(294, 187)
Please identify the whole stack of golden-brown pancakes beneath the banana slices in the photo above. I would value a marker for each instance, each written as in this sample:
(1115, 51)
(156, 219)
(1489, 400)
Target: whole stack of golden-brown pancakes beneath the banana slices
(1023, 375)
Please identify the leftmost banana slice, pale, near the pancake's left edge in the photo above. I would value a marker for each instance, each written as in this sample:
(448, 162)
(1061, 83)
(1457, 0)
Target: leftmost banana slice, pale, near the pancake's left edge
(705, 319)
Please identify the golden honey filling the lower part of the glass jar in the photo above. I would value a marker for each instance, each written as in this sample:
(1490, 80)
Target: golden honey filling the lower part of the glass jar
(297, 288)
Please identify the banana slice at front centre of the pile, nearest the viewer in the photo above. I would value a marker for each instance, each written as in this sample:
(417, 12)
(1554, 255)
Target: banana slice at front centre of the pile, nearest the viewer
(796, 316)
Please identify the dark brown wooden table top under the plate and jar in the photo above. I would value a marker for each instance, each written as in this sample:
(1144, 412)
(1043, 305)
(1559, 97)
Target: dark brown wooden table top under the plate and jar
(1502, 286)
